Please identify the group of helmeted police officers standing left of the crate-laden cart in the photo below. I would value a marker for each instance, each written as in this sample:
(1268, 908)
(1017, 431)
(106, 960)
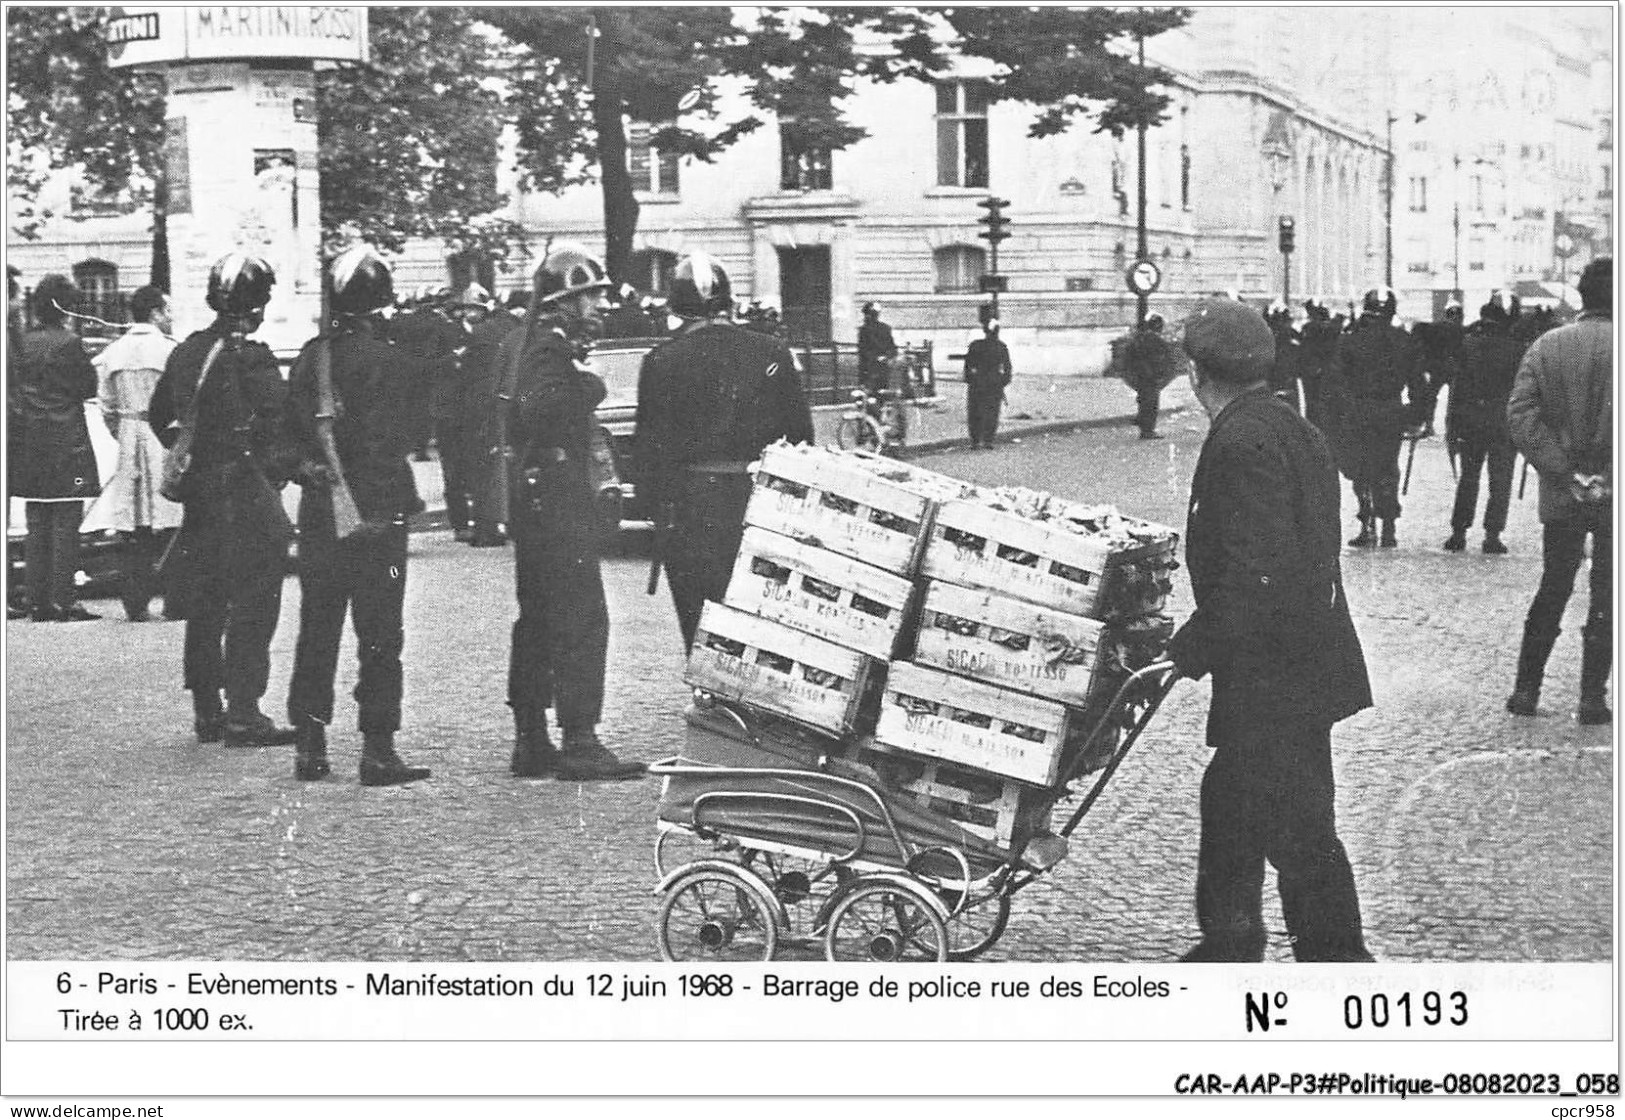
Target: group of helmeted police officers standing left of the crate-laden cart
(513, 401)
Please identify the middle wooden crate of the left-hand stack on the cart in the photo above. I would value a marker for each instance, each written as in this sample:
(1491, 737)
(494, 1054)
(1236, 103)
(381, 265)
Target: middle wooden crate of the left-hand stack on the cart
(820, 593)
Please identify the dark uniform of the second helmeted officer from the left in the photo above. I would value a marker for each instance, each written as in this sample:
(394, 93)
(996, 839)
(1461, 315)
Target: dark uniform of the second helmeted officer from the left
(379, 397)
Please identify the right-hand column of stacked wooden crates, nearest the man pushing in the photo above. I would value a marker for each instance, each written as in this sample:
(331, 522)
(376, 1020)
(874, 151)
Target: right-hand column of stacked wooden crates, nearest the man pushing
(1033, 615)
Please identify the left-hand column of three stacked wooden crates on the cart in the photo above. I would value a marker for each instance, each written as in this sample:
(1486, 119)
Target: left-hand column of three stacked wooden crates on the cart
(821, 593)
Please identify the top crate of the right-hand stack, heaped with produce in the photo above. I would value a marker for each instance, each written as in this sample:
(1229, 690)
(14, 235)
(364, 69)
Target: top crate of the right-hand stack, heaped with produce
(976, 545)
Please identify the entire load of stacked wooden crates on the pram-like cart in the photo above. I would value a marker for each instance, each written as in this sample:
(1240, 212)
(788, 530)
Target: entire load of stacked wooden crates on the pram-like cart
(960, 641)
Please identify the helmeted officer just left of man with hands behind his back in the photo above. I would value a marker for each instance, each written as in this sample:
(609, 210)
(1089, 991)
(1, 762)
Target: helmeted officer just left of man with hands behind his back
(1476, 427)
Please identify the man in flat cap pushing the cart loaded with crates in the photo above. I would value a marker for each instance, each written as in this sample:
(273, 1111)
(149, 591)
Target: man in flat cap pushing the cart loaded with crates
(1273, 628)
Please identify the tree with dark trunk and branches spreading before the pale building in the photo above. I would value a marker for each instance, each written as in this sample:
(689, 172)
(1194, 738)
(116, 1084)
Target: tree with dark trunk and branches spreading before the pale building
(800, 66)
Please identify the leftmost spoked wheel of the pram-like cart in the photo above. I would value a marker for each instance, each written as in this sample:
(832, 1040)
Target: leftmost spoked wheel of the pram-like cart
(717, 916)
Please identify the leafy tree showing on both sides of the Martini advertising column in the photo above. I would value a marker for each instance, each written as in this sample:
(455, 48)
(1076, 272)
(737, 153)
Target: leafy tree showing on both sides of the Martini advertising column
(409, 144)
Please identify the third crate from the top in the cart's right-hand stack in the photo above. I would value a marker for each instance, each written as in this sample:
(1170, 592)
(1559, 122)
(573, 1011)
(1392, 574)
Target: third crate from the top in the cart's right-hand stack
(927, 711)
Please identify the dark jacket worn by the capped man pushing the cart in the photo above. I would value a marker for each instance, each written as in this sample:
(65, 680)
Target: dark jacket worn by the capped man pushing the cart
(1263, 552)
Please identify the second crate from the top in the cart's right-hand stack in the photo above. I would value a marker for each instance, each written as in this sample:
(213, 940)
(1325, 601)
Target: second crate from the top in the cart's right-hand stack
(1012, 643)
